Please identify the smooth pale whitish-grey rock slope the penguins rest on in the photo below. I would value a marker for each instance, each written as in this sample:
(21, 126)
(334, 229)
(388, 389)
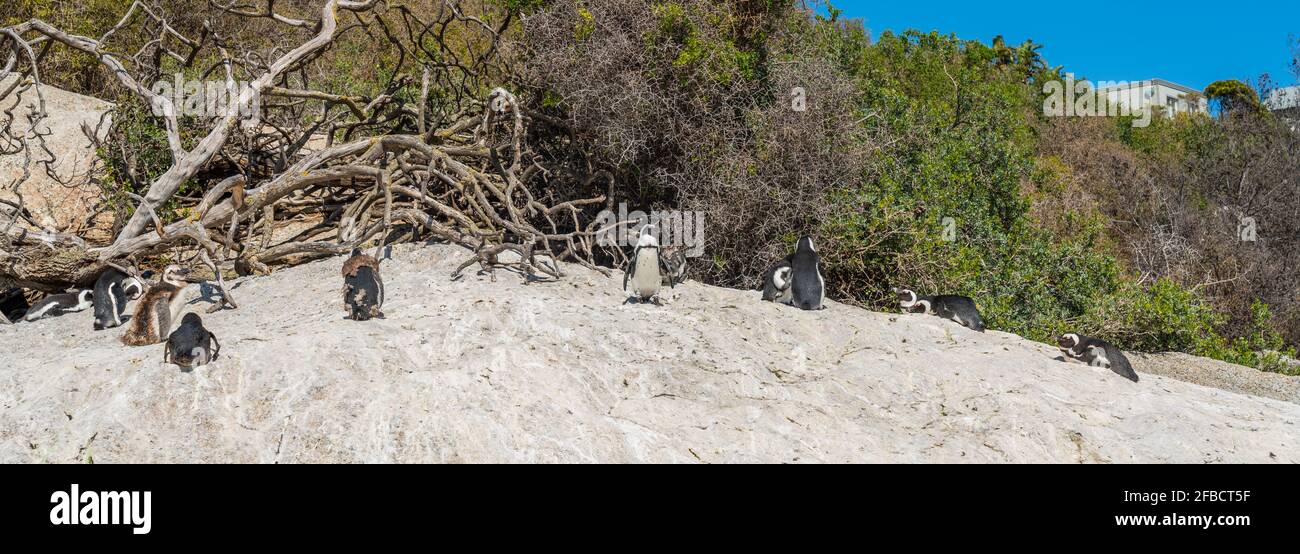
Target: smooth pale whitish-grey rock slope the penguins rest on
(480, 371)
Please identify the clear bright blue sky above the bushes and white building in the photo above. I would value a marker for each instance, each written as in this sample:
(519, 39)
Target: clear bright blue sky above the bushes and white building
(1189, 42)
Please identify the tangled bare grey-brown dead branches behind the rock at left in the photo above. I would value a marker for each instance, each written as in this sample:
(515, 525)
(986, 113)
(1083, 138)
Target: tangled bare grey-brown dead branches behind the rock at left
(475, 170)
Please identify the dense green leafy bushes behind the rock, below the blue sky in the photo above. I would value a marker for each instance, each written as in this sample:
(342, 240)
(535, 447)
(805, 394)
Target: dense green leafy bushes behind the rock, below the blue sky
(965, 189)
